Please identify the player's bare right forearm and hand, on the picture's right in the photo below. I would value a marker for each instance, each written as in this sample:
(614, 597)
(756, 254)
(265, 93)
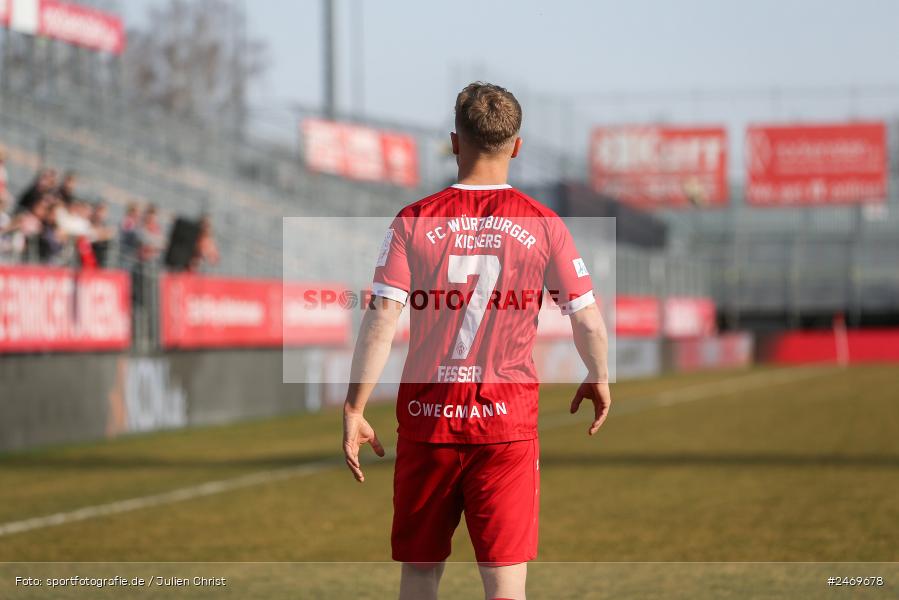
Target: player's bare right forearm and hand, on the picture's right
(592, 343)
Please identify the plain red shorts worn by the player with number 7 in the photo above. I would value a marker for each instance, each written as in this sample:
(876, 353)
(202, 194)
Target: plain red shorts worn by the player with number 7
(496, 485)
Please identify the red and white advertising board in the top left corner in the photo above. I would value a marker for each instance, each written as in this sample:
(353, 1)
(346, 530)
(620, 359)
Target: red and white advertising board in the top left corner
(71, 23)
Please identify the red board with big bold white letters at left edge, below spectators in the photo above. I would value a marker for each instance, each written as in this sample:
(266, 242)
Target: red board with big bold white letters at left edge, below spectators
(47, 309)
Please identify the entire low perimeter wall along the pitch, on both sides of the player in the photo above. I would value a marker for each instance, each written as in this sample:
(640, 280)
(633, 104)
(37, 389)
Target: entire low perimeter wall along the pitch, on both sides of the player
(52, 399)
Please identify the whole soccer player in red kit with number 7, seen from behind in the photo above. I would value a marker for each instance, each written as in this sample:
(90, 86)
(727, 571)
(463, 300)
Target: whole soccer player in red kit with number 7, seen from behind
(472, 262)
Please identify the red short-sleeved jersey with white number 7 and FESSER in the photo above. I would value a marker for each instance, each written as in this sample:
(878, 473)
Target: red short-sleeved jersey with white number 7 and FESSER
(471, 263)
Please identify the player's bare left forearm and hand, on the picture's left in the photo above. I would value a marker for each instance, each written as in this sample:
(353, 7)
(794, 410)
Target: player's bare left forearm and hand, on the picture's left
(369, 357)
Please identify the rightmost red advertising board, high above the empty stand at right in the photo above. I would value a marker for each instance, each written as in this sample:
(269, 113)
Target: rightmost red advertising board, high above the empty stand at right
(816, 164)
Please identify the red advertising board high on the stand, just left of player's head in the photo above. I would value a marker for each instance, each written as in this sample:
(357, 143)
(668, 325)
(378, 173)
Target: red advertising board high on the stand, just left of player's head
(359, 152)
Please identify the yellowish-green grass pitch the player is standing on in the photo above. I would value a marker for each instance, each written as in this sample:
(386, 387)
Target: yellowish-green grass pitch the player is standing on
(738, 467)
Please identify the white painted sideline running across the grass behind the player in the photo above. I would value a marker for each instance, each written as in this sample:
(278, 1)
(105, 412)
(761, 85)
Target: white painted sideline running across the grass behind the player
(686, 394)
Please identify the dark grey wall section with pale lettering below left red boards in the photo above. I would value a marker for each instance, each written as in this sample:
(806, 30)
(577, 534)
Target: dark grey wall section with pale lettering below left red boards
(78, 397)
